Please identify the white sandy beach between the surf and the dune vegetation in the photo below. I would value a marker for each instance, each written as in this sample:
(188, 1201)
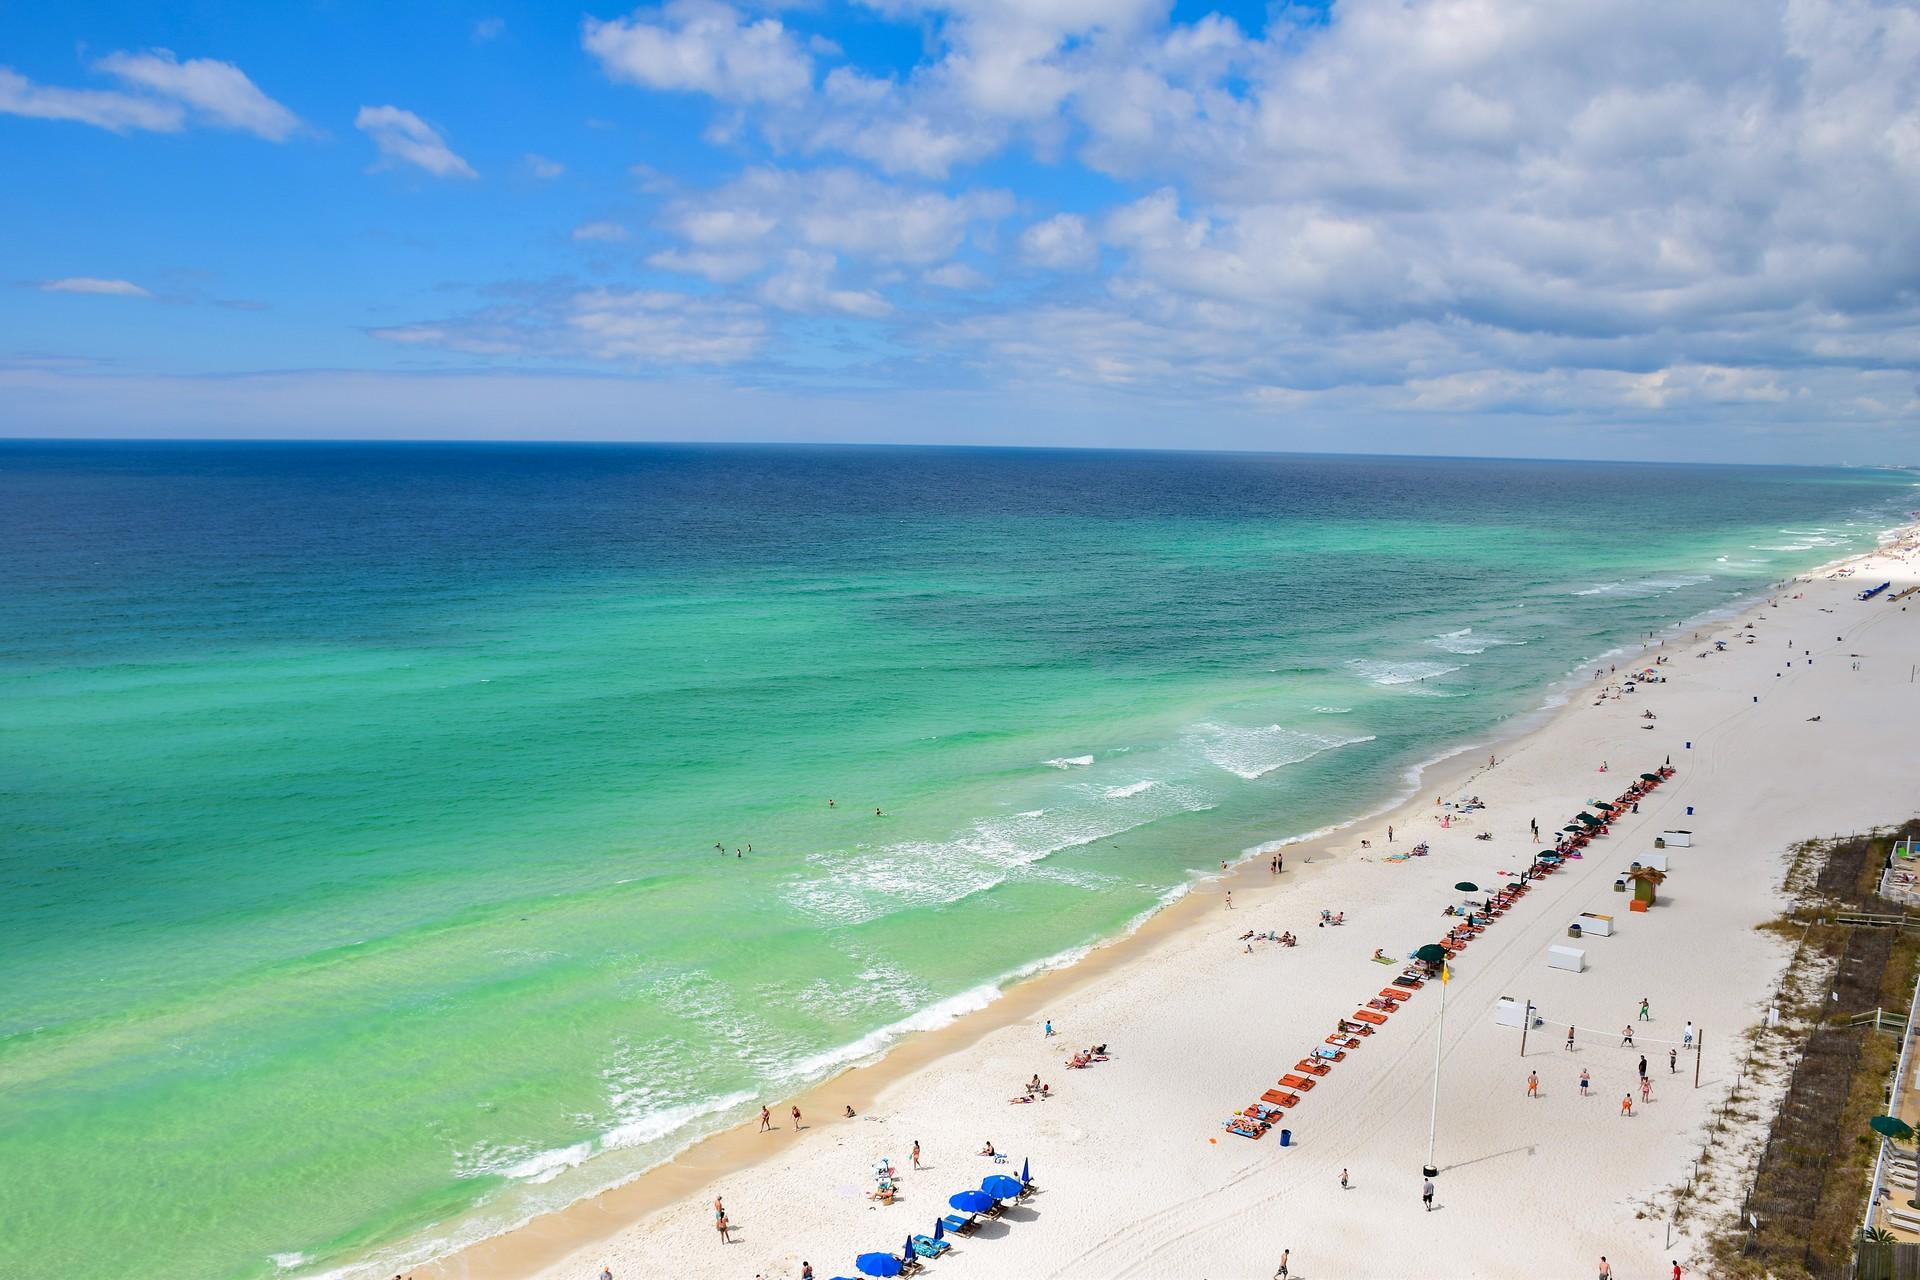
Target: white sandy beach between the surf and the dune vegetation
(1136, 1173)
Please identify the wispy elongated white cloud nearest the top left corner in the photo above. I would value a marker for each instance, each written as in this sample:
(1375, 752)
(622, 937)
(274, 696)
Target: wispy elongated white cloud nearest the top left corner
(166, 95)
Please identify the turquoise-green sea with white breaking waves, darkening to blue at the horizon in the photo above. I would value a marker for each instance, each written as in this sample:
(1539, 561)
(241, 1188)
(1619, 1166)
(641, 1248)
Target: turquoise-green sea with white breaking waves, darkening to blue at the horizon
(358, 805)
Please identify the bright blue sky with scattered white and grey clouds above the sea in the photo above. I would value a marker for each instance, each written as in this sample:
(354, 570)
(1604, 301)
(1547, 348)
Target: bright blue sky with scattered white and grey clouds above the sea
(1470, 227)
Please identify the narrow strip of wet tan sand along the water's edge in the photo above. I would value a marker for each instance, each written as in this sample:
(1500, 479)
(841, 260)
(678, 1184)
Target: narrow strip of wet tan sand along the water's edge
(548, 1239)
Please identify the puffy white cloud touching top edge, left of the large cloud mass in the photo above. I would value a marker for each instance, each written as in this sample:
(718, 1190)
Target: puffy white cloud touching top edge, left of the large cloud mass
(704, 47)
